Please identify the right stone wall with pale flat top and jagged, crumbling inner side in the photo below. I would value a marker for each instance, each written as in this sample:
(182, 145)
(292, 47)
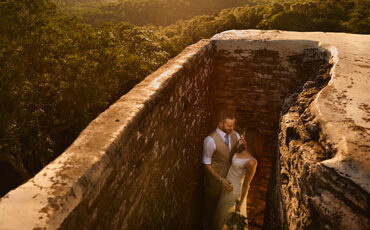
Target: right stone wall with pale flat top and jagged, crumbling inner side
(325, 177)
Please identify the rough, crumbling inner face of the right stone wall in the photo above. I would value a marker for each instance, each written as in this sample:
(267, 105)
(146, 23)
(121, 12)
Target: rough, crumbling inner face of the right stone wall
(314, 195)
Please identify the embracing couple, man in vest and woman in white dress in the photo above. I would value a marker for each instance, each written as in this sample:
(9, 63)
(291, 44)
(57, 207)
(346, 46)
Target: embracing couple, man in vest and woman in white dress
(230, 167)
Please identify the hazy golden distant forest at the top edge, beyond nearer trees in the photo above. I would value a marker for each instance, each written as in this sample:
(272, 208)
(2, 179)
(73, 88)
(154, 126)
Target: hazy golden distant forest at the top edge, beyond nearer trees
(142, 12)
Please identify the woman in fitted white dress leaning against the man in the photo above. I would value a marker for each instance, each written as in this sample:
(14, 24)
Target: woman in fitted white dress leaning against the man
(240, 174)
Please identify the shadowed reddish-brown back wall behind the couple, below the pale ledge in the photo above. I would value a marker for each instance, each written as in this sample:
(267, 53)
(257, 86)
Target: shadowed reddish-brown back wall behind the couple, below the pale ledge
(253, 78)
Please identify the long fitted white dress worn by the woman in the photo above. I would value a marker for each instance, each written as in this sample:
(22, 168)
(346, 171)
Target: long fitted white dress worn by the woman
(226, 202)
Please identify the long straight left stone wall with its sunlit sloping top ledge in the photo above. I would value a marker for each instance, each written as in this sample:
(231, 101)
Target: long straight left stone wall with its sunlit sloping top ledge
(137, 166)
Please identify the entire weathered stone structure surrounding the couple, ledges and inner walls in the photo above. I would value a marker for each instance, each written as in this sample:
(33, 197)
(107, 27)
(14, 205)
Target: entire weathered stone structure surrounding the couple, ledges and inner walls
(138, 165)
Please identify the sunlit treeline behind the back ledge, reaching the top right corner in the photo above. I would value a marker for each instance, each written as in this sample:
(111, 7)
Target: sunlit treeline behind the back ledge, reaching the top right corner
(312, 15)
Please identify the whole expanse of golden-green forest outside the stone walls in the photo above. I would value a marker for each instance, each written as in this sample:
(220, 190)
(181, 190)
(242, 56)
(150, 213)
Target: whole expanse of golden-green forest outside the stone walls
(58, 73)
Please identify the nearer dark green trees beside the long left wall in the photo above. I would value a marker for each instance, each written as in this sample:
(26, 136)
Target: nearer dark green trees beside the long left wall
(57, 75)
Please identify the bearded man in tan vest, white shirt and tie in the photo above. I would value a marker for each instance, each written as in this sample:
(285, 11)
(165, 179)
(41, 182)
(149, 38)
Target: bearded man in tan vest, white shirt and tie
(217, 154)
